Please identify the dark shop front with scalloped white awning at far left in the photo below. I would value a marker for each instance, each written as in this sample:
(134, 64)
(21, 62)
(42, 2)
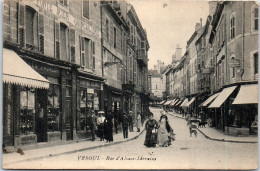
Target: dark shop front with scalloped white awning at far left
(40, 114)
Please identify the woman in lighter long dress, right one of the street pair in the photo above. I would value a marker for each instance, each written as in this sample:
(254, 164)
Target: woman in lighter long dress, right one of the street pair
(163, 134)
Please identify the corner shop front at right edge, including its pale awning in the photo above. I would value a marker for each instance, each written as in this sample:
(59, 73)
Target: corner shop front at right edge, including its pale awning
(243, 117)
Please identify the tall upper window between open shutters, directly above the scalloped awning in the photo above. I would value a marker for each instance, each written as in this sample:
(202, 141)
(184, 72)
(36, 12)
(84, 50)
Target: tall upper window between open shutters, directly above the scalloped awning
(31, 28)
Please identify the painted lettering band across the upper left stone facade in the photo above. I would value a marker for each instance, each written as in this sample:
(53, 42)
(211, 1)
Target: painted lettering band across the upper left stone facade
(66, 16)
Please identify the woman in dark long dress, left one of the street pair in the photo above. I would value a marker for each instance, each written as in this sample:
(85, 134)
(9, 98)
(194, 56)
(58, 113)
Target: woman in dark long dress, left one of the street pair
(151, 125)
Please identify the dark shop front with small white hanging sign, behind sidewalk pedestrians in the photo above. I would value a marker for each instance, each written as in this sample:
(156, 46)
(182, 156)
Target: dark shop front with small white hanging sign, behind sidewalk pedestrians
(88, 99)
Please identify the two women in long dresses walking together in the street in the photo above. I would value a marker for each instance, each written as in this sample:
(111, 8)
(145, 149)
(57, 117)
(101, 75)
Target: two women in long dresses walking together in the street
(158, 132)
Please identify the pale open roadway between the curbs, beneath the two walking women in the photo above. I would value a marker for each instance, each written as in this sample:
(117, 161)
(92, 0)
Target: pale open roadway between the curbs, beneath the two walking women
(185, 153)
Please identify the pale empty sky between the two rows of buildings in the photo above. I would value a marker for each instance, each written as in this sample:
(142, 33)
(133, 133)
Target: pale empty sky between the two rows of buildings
(168, 23)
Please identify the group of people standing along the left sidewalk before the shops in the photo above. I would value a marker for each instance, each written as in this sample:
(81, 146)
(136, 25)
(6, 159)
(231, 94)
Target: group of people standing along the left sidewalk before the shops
(101, 125)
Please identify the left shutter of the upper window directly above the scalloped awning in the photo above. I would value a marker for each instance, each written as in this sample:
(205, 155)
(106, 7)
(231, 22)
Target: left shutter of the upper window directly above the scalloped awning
(21, 25)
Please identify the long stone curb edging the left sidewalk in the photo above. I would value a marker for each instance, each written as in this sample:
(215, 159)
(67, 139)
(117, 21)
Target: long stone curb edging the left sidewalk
(79, 150)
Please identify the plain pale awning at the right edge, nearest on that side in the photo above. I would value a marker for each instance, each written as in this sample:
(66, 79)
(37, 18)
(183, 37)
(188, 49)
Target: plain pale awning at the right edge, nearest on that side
(248, 94)
